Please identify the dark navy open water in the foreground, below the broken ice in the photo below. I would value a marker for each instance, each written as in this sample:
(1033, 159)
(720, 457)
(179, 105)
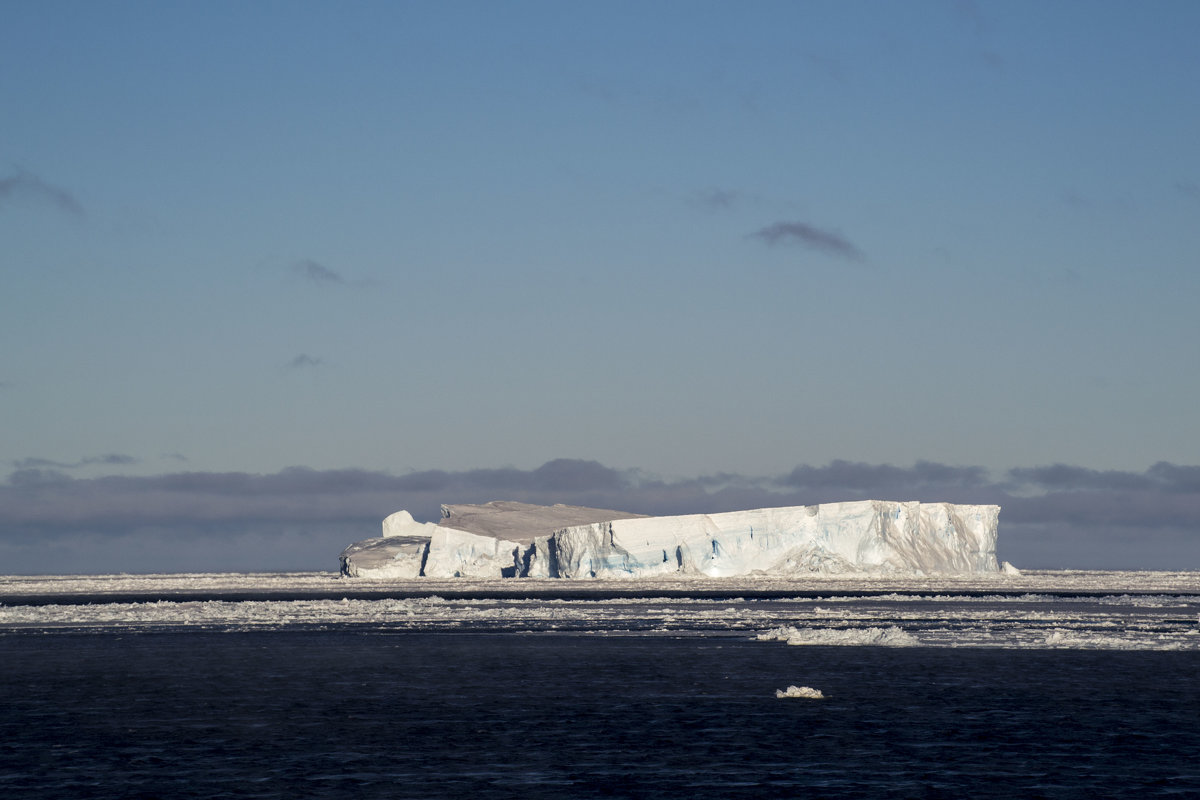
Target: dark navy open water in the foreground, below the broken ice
(361, 714)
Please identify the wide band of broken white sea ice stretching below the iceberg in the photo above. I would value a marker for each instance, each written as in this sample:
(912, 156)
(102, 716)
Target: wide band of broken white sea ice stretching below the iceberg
(1037, 611)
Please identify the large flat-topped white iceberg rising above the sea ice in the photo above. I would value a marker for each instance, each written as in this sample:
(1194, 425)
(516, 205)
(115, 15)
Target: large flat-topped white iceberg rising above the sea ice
(503, 539)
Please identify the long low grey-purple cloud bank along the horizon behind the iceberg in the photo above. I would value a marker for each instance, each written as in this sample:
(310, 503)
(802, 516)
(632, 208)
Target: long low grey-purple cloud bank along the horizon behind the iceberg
(1053, 518)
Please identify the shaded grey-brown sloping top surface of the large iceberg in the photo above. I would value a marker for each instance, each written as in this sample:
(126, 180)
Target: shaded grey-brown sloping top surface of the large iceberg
(523, 522)
